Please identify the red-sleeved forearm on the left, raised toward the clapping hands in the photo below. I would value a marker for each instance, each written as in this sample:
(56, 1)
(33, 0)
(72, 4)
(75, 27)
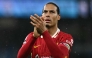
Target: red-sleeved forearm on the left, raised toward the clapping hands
(26, 48)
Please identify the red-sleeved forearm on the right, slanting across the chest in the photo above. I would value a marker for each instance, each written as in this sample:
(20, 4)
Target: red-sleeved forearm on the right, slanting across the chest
(55, 50)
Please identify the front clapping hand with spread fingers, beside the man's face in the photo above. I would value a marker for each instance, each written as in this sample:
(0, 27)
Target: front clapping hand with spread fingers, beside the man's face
(39, 23)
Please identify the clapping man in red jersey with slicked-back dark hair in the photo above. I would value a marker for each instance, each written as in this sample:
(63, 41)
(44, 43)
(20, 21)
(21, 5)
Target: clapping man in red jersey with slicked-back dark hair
(46, 41)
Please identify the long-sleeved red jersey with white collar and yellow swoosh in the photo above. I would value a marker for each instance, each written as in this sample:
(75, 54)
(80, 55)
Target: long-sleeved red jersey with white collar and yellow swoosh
(46, 46)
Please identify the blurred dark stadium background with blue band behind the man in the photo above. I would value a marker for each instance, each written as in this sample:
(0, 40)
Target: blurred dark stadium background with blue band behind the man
(14, 24)
